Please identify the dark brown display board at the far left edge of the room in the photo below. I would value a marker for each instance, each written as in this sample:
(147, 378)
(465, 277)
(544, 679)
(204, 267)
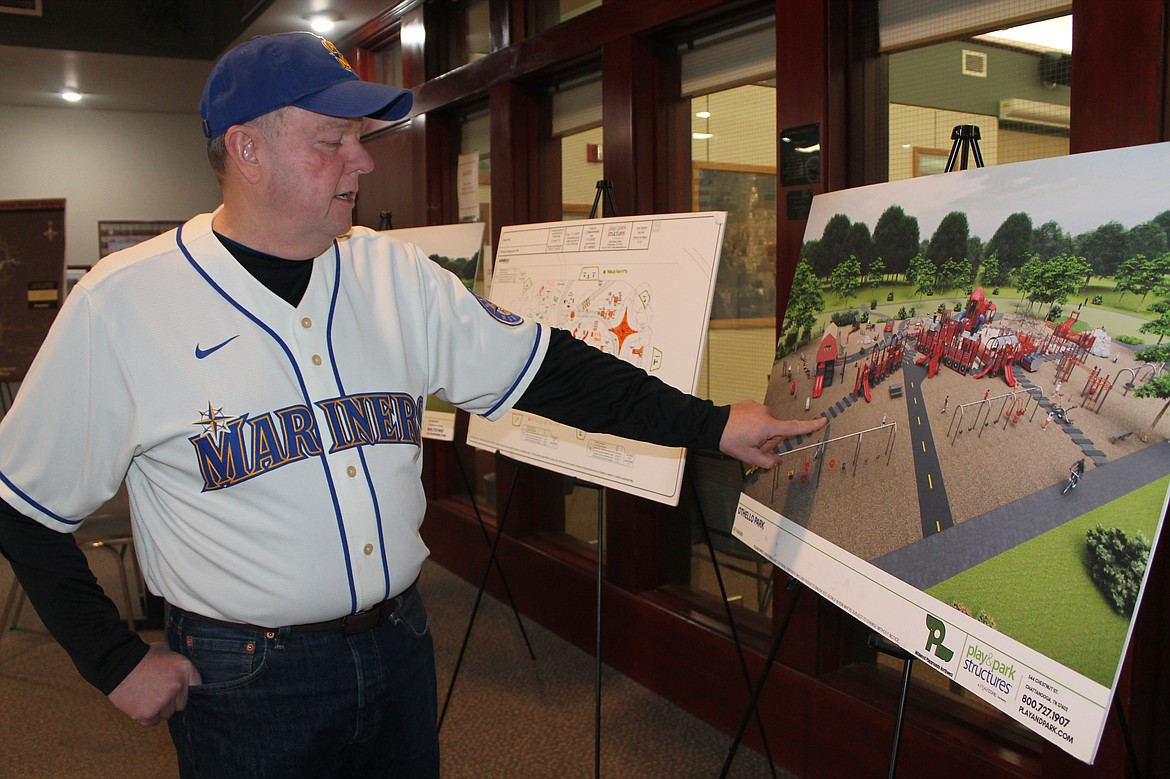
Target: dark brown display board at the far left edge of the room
(32, 275)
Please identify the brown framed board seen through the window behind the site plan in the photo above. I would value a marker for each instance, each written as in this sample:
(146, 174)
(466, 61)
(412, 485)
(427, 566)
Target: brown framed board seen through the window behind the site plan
(746, 286)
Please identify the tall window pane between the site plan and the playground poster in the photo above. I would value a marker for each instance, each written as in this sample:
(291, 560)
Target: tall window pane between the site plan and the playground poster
(734, 169)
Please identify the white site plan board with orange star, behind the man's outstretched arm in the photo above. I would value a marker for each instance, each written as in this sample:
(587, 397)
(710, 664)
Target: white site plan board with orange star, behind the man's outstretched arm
(639, 288)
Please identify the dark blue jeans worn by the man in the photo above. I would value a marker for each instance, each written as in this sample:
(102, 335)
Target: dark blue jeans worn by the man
(308, 705)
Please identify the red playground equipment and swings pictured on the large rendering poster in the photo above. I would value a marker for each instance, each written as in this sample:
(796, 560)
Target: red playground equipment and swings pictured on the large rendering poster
(978, 343)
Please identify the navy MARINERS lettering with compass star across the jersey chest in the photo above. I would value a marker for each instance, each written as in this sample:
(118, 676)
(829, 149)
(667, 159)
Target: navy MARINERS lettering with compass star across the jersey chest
(235, 450)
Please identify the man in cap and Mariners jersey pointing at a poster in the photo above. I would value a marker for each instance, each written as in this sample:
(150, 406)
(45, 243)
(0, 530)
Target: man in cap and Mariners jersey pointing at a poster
(257, 378)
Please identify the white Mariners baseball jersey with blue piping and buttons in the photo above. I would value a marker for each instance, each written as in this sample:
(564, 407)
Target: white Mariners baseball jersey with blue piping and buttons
(272, 453)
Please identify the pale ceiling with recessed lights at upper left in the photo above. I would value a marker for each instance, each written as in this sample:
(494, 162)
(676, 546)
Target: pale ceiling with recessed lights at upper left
(114, 82)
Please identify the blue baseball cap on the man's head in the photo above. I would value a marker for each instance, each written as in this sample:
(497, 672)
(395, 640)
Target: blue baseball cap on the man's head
(301, 70)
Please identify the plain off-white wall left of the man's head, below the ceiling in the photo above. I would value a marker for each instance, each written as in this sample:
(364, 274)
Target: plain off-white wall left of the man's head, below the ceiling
(108, 166)
